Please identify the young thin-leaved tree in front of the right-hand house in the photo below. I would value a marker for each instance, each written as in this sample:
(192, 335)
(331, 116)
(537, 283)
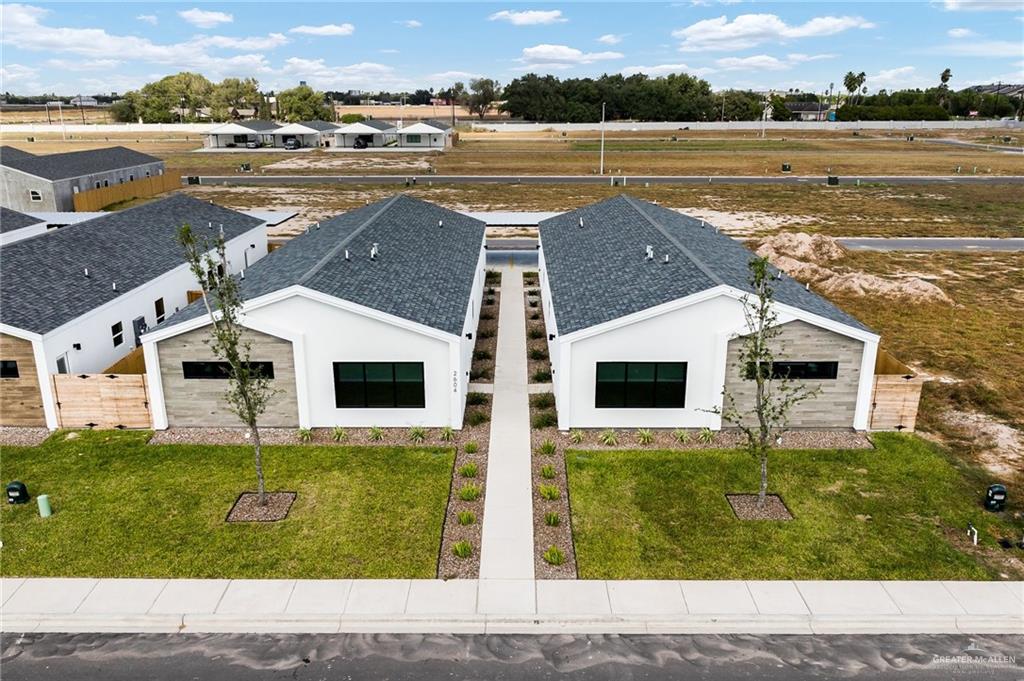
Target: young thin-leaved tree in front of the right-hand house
(775, 397)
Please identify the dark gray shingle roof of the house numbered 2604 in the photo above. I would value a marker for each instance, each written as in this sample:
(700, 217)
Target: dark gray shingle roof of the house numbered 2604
(424, 273)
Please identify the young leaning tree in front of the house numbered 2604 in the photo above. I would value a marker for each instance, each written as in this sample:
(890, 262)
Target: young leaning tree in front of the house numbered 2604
(248, 391)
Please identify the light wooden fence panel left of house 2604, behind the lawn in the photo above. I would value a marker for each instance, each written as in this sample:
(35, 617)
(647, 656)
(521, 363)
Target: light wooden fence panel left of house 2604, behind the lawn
(102, 401)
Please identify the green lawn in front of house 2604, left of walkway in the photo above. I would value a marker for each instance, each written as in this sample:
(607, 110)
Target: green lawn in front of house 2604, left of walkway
(123, 508)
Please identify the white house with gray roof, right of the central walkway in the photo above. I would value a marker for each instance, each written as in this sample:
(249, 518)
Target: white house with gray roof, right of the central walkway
(645, 312)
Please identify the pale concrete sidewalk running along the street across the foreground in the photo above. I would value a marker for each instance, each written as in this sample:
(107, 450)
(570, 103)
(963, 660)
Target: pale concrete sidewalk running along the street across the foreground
(481, 607)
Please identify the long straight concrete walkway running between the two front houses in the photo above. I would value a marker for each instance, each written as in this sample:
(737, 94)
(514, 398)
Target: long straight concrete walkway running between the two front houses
(507, 546)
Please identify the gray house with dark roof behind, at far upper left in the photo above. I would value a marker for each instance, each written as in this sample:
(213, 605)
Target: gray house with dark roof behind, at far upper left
(31, 184)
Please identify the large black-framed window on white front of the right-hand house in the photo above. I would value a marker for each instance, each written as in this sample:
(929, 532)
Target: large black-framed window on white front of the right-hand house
(641, 386)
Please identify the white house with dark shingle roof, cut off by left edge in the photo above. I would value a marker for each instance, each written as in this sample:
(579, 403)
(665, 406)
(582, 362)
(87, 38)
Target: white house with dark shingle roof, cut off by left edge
(78, 300)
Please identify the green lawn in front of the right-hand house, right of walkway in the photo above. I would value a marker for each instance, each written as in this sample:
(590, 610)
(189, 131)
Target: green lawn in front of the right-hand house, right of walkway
(663, 516)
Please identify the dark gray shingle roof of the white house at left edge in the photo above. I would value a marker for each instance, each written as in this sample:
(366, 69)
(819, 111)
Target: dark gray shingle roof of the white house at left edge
(42, 281)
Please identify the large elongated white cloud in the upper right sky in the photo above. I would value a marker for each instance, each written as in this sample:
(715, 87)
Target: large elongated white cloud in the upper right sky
(751, 30)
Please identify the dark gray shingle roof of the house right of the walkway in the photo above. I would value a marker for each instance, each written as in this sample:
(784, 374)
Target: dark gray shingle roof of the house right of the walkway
(600, 273)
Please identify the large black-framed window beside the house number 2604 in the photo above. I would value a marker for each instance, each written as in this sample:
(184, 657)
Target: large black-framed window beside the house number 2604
(379, 386)
